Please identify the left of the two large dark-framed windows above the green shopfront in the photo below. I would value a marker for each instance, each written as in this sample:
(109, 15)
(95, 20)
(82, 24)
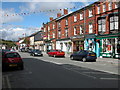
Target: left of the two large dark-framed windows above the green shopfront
(102, 25)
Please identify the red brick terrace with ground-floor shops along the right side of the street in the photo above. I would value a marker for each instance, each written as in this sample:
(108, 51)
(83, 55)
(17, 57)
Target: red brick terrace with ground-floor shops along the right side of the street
(94, 28)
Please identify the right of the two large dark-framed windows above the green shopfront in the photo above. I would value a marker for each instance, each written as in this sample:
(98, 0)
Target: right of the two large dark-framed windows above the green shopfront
(113, 22)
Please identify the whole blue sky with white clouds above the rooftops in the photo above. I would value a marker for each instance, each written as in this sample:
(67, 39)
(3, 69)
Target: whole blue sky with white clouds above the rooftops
(19, 19)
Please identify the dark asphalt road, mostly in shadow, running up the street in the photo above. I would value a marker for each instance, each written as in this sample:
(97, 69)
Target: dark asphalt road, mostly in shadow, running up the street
(40, 72)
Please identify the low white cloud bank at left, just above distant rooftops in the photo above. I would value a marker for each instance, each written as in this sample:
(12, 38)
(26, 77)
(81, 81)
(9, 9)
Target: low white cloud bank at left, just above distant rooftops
(15, 33)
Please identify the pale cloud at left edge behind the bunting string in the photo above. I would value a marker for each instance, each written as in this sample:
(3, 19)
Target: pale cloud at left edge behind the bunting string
(10, 18)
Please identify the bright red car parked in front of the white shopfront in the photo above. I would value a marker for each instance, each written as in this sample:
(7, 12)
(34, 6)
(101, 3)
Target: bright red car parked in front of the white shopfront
(56, 53)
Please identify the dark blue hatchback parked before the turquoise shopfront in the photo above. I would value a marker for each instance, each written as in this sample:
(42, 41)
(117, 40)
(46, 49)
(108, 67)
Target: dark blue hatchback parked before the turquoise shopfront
(84, 55)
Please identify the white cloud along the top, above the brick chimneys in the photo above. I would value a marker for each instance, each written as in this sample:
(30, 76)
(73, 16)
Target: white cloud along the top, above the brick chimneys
(47, 6)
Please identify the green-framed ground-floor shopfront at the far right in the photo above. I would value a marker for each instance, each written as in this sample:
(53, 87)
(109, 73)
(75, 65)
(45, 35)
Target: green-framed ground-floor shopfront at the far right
(108, 45)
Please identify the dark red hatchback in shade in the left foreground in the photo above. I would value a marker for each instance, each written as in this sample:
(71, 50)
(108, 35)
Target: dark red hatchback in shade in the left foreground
(11, 59)
